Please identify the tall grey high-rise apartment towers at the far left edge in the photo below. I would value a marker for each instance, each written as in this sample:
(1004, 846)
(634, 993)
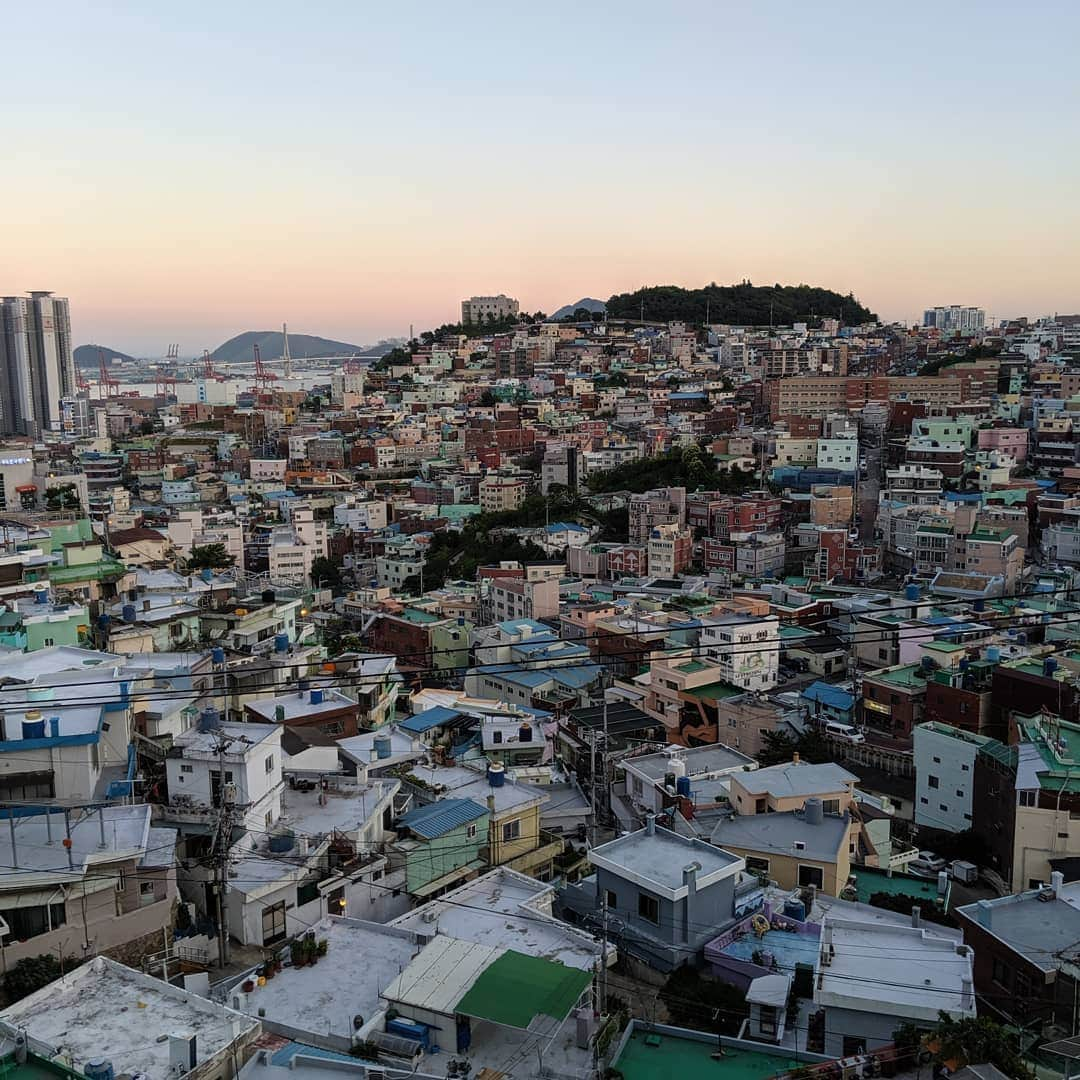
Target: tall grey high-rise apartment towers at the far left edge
(37, 369)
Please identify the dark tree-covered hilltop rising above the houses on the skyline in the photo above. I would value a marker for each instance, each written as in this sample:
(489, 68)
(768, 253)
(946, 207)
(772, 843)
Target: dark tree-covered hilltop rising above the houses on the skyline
(742, 305)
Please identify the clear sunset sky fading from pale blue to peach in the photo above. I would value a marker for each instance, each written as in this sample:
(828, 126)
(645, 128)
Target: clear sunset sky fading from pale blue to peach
(187, 172)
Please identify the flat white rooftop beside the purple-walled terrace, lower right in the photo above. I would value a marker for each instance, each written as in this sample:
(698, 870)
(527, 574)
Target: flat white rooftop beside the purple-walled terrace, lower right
(901, 971)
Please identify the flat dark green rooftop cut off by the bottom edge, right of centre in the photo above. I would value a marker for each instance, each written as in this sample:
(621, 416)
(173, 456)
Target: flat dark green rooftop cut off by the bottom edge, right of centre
(656, 1057)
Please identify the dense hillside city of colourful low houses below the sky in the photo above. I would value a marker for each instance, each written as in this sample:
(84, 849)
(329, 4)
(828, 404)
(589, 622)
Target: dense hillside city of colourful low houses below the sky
(617, 694)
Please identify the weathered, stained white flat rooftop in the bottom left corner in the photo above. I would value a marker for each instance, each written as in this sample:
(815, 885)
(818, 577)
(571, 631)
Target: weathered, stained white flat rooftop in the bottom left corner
(103, 1009)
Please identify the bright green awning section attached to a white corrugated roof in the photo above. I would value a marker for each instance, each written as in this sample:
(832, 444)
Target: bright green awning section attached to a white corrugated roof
(516, 989)
